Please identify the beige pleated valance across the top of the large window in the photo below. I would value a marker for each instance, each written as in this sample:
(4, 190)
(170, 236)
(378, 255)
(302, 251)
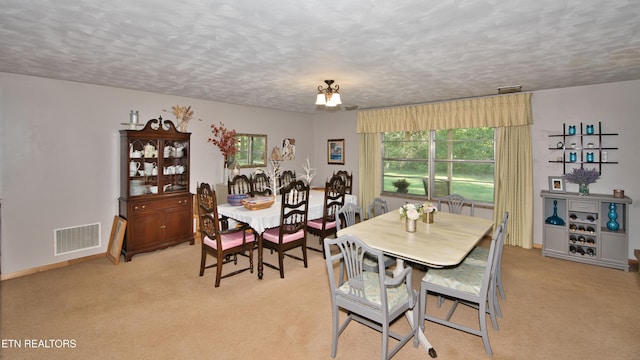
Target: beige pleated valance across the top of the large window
(492, 111)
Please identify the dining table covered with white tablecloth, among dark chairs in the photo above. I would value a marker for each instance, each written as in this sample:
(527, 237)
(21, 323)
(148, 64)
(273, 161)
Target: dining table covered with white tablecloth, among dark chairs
(263, 219)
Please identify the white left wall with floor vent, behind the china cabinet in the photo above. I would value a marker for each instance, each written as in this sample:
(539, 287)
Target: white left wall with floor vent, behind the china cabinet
(59, 153)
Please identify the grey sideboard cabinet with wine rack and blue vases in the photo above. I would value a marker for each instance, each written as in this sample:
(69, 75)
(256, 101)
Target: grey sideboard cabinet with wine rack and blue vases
(582, 234)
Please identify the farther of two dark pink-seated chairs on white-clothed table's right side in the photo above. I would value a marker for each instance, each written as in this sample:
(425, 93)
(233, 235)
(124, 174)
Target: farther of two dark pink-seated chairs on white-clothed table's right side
(333, 201)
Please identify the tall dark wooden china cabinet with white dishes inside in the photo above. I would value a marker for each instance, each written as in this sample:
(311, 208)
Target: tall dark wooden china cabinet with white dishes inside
(154, 187)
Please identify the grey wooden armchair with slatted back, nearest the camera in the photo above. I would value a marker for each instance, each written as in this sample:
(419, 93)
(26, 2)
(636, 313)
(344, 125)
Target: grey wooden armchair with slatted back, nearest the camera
(370, 298)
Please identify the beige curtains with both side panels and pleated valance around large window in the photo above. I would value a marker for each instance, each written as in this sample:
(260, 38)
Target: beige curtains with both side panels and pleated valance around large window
(511, 114)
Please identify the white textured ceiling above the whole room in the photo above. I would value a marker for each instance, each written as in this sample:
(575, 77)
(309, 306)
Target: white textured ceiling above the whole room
(275, 53)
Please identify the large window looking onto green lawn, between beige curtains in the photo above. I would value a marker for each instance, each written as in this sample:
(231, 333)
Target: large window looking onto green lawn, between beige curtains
(440, 162)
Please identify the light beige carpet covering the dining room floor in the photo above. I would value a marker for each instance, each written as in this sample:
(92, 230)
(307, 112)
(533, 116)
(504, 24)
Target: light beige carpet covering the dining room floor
(157, 307)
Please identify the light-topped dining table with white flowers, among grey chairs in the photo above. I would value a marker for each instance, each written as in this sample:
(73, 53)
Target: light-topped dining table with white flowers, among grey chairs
(445, 242)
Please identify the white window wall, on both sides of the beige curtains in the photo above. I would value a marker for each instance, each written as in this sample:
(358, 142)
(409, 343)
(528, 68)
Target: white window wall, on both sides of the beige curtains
(615, 104)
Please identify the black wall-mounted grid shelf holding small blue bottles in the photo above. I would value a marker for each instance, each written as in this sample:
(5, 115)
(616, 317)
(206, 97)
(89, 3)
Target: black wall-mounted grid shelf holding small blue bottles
(582, 146)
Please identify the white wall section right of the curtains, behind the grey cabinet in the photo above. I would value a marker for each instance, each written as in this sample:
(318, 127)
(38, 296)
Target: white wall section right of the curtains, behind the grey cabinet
(616, 105)
